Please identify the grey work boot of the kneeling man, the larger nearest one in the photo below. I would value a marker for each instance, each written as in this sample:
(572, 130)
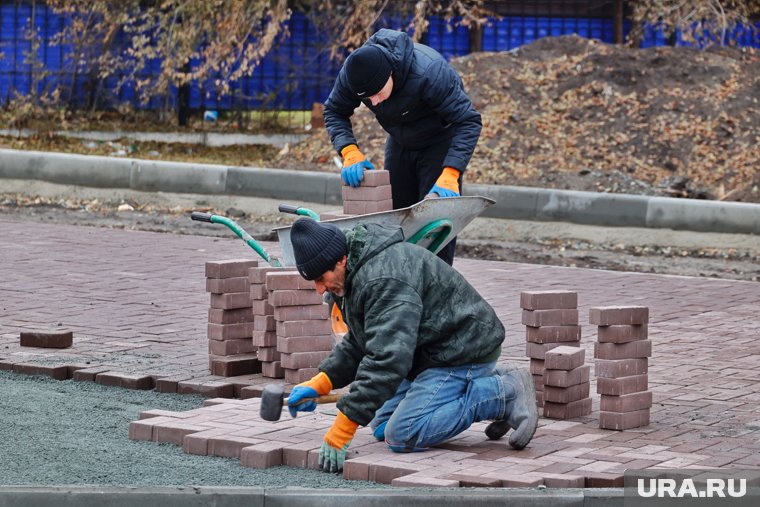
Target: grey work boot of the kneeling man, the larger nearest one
(521, 412)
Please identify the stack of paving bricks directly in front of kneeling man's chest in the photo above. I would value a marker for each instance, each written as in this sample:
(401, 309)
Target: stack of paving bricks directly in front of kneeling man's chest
(301, 316)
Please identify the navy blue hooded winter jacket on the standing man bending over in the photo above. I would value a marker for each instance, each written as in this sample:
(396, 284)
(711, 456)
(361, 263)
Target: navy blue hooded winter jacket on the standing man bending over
(428, 102)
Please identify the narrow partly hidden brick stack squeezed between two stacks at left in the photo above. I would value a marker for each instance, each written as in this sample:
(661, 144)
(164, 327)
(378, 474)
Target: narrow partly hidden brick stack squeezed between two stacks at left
(264, 332)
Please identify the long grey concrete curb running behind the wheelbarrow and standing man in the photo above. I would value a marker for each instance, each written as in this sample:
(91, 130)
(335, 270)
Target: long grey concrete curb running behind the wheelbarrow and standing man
(520, 203)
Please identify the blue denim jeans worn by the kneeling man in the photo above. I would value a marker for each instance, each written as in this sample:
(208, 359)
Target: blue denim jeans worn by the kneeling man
(439, 404)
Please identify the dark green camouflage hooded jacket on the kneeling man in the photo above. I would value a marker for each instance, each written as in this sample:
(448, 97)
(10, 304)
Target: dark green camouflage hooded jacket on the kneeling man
(407, 311)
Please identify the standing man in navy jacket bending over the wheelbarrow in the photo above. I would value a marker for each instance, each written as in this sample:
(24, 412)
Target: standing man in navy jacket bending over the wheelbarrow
(419, 99)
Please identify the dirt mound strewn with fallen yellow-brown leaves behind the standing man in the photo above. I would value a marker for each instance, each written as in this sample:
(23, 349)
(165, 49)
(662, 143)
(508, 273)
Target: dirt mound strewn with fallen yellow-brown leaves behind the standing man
(569, 112)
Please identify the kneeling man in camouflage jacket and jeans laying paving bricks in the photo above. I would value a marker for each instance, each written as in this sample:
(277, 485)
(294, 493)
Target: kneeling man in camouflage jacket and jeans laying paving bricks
(421, 349)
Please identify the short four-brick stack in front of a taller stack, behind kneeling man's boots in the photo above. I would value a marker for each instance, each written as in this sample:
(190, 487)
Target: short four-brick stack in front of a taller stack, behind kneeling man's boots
(566, 383)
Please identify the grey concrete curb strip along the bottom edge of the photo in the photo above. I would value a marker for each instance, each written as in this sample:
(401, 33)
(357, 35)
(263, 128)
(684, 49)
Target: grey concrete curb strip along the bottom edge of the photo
(85, 496)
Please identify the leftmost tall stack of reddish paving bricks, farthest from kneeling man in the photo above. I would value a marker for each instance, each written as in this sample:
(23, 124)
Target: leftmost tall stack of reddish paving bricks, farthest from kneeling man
(230, 321)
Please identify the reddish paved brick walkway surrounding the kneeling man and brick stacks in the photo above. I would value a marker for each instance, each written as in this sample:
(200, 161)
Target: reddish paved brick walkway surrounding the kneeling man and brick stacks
(136, 304)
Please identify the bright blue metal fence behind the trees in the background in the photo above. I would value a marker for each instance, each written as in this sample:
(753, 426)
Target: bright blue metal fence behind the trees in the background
(294, 75)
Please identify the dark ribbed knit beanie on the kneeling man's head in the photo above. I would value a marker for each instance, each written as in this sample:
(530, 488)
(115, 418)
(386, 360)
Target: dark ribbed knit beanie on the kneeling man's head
(316, 246)
